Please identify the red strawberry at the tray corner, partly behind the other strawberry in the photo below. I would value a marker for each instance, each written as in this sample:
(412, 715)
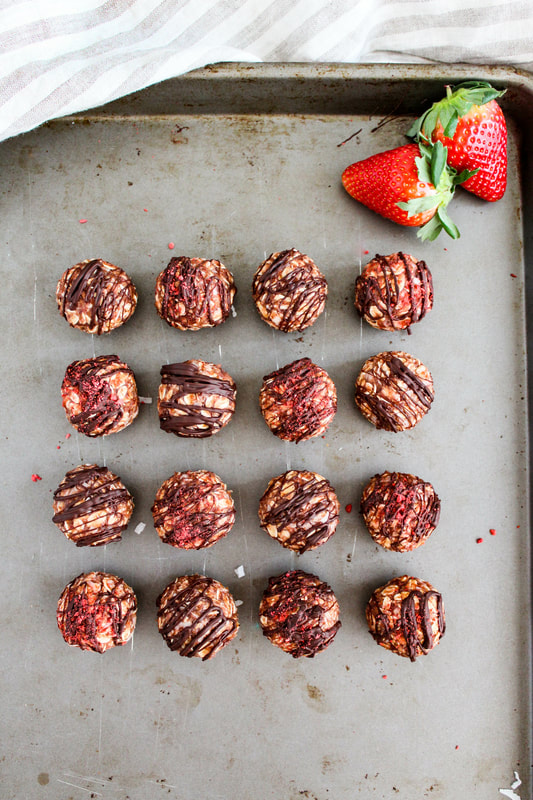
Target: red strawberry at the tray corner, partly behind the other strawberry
(470, 124)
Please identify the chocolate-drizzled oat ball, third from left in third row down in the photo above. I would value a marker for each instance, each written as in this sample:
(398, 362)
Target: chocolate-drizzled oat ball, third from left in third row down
(300, 509)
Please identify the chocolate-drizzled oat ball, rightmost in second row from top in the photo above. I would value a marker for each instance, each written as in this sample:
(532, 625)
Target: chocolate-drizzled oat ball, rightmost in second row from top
(394, 390)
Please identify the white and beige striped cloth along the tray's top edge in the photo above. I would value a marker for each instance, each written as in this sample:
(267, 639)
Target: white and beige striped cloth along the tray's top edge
(58, 57)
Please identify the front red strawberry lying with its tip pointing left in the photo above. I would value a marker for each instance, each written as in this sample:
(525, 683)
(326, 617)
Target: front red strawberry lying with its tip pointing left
(411, 185)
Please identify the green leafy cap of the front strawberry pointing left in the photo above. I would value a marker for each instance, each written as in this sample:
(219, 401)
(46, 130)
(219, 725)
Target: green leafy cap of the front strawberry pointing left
(433, 168)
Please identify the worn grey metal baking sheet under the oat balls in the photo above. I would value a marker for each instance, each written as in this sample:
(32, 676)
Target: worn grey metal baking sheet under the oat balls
(234, 162)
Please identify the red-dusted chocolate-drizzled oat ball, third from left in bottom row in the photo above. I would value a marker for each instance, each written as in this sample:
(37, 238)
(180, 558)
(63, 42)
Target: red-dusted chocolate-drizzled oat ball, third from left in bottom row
(299, 613)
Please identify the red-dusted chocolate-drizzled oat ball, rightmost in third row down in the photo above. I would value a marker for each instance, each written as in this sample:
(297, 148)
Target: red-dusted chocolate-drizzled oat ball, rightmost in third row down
(400, 510)
